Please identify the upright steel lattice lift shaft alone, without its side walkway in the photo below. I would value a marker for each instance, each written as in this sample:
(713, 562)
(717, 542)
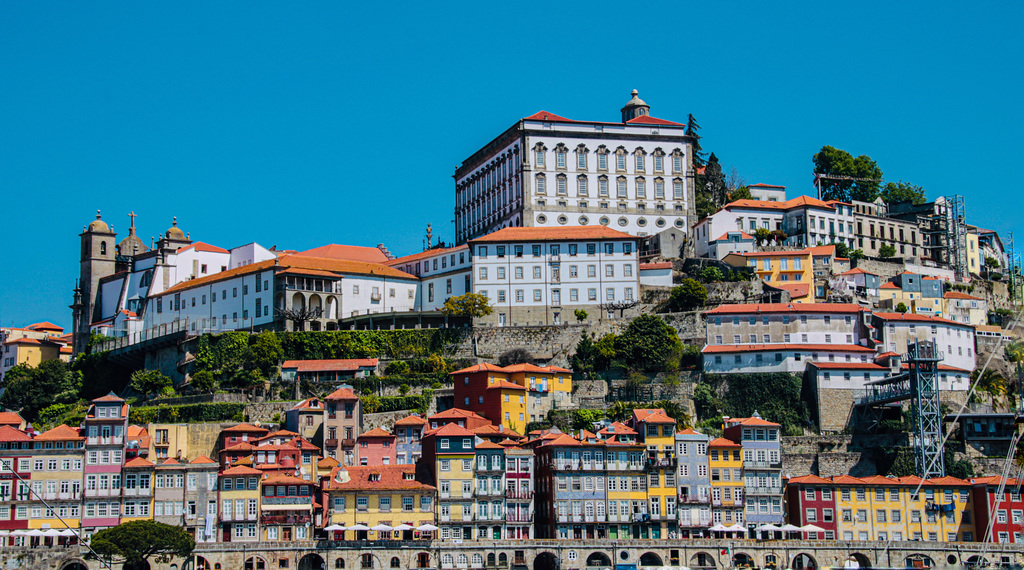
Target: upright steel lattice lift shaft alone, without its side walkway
(923, 361)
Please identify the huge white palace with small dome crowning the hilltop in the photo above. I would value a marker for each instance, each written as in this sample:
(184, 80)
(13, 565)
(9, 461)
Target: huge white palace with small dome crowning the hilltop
(548, 171)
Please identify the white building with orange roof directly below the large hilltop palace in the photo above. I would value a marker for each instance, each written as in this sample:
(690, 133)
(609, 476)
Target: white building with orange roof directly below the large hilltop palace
(542, 276)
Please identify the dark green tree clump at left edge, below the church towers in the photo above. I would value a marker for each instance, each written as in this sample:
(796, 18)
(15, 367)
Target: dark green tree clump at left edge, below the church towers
(30, 389)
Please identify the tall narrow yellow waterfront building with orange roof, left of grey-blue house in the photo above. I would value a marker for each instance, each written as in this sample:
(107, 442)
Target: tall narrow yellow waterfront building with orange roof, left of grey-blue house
(658, 433)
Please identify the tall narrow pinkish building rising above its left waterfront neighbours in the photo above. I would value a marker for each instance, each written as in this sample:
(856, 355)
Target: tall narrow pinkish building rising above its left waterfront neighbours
(106, 425)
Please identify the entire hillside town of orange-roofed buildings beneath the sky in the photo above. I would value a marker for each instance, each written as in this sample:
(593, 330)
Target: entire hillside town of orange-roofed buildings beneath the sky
(626, 358)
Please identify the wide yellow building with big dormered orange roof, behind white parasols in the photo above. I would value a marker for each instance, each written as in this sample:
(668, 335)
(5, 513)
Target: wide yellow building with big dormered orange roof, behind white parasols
(372, 496)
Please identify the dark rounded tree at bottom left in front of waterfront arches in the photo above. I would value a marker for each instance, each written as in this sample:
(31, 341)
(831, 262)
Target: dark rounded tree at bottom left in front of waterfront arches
(137, 542)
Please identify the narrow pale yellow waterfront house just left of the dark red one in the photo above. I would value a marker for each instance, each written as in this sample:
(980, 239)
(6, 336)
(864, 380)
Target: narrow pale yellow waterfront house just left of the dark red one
(239, 513)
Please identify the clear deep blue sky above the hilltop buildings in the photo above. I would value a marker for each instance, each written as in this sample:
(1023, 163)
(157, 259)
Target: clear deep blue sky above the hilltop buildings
(300, 125)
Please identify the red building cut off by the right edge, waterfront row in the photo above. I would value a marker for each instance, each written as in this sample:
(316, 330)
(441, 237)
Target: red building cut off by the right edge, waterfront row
(1005, 512)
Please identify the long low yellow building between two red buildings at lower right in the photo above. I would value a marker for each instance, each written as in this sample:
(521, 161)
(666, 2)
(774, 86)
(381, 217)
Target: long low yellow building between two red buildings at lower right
(887, 509)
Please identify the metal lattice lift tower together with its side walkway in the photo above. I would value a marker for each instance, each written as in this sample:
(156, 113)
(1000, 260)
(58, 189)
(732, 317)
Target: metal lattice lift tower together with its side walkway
(920, 386)
